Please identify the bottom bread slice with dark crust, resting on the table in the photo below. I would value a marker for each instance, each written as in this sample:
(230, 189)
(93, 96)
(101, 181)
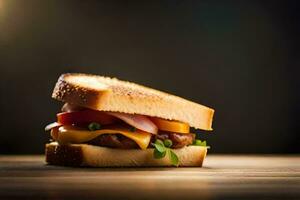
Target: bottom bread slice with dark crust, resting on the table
(95, 156)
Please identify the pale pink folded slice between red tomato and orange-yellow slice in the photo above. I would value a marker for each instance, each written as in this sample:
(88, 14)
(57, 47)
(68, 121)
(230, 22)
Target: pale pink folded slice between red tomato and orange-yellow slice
(138, 121)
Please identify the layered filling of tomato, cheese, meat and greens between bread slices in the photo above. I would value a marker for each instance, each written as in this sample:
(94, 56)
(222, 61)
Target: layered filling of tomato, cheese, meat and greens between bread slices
(78, 125)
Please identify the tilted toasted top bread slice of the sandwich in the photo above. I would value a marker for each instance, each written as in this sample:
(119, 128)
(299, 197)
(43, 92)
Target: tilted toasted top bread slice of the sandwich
(110, 94)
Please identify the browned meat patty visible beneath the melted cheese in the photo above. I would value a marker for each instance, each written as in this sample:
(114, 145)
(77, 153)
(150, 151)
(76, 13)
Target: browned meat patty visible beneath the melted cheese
(121, 142)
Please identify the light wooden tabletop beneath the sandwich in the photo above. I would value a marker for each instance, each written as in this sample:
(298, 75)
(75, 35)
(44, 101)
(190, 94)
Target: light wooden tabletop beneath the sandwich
(223, 176)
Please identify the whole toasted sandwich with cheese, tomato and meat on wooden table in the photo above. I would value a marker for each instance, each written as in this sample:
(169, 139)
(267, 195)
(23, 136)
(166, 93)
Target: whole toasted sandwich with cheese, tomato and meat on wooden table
(106, 122)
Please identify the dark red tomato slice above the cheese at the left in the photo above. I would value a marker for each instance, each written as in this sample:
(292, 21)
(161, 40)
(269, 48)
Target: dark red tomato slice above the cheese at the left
(84, 117)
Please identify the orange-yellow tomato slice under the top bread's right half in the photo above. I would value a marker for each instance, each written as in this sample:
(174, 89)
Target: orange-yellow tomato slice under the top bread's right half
(171, 126)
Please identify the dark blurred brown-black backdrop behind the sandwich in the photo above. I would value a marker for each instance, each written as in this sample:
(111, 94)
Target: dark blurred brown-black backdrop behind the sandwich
(239, 57)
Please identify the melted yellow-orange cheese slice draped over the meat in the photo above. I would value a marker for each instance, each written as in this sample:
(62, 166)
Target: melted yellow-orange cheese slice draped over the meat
(73, 135)
